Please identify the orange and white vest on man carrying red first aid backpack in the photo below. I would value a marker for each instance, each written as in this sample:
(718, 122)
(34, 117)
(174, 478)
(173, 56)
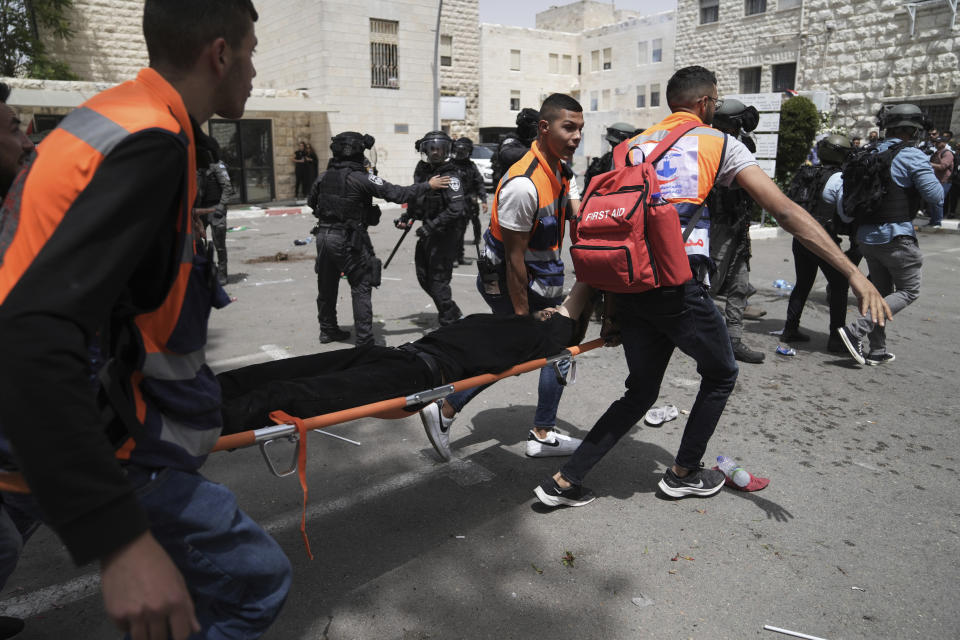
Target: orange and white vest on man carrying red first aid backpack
(687, 172)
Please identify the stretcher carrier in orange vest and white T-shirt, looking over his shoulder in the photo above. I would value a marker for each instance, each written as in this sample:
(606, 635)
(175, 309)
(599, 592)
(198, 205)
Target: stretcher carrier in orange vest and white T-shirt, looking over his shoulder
(522, 272)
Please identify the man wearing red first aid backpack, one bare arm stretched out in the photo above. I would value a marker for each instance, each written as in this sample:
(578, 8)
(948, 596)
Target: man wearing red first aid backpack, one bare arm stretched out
(652, 324)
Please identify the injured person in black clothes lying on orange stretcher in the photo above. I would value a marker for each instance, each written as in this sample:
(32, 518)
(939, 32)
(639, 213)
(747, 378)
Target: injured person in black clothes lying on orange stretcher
(322, 383)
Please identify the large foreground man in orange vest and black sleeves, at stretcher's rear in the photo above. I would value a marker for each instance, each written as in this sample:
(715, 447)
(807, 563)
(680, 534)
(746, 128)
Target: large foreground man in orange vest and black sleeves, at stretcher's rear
(115, 468)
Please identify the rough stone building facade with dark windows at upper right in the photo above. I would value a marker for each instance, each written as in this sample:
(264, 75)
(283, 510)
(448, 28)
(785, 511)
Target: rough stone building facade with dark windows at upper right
(864, 53)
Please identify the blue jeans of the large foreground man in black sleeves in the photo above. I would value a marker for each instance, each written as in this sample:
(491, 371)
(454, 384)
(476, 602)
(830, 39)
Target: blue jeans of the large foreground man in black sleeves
(237, 574)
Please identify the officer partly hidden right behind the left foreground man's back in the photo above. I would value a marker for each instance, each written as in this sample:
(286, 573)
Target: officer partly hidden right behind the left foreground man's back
(214, 190)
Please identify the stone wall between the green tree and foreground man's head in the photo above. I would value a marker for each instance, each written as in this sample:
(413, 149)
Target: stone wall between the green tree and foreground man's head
(107, 45)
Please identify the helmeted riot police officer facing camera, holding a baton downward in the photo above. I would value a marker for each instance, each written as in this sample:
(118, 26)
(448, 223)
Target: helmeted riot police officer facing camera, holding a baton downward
(440, 212)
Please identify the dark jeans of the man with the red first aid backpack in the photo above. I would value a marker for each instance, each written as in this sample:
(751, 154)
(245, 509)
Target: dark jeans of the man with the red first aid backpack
(652, 324)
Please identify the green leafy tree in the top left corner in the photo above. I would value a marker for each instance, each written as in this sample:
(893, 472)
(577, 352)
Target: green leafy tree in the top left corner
(22, 50)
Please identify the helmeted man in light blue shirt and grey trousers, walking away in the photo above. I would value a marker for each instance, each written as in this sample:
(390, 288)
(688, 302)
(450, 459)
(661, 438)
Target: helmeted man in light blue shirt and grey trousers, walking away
(887, 237)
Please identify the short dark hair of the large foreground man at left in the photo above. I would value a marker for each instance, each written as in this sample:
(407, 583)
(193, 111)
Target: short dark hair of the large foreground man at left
(177, 30)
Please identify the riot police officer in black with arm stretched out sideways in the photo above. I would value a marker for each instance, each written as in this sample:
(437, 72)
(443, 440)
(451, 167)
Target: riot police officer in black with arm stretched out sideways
(342, 201)
